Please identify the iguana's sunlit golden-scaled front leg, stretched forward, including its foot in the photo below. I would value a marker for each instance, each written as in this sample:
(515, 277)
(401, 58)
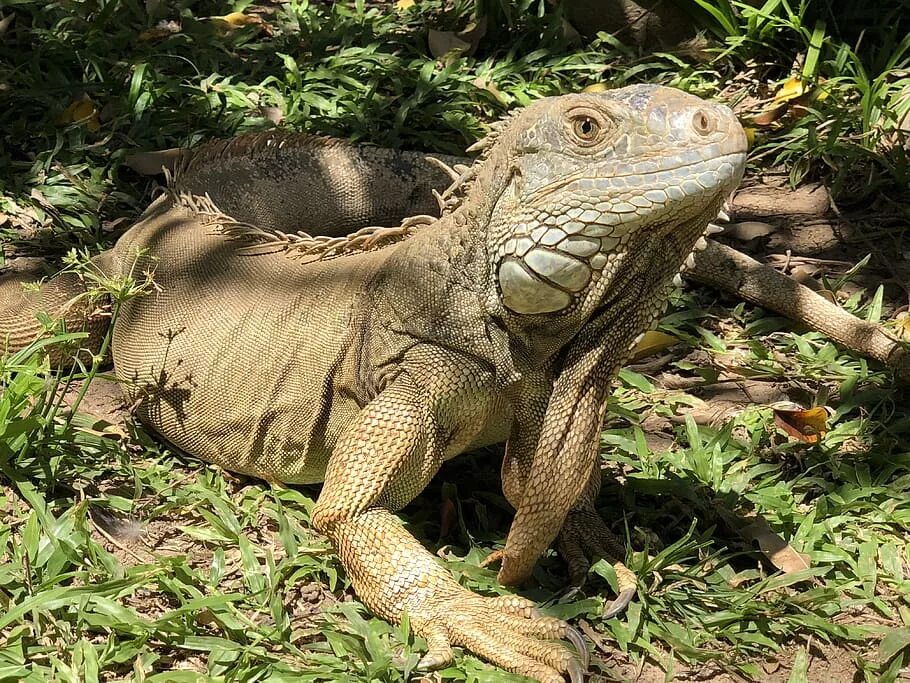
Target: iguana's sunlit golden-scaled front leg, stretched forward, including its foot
(382, 461)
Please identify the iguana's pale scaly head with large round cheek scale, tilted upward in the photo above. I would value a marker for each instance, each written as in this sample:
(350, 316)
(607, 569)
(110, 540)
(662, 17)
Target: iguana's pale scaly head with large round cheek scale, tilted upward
(593, 181)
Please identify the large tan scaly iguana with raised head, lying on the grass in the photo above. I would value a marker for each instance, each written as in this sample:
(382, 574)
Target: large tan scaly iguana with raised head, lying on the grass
(503, 320)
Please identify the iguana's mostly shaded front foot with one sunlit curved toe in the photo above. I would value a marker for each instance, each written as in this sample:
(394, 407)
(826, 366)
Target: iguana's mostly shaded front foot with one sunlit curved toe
(585, 538)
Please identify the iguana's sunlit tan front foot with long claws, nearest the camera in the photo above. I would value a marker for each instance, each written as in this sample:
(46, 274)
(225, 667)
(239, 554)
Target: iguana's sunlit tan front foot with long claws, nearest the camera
(507, 631)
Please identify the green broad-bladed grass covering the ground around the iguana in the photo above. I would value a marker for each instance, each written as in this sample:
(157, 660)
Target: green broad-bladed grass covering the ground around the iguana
(230, 583)
